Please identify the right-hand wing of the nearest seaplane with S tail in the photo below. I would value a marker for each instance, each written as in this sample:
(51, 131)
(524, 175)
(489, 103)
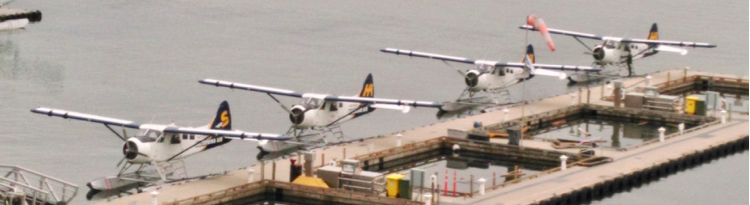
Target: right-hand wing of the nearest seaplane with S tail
(228, 133)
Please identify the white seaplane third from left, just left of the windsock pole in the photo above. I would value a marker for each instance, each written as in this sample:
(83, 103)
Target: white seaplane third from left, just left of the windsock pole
(495, 77)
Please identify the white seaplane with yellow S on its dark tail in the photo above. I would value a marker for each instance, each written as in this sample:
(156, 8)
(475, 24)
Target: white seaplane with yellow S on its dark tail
(163, 146)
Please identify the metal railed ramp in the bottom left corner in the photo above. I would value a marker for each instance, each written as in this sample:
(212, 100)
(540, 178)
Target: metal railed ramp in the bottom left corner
(20, 184)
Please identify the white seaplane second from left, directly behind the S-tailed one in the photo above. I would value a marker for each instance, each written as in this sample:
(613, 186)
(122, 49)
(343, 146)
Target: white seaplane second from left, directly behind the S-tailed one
(325, 113)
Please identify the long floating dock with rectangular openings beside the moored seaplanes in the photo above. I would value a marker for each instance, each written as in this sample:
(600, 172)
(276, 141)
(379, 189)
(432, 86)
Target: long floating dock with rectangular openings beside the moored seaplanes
(584, 177)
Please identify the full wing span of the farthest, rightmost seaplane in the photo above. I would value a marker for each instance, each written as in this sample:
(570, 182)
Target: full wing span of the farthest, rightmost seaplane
(623, 40)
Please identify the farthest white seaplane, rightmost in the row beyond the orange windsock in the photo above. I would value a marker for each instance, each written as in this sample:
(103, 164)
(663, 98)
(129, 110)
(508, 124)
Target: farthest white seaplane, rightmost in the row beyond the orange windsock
(621, 52)
